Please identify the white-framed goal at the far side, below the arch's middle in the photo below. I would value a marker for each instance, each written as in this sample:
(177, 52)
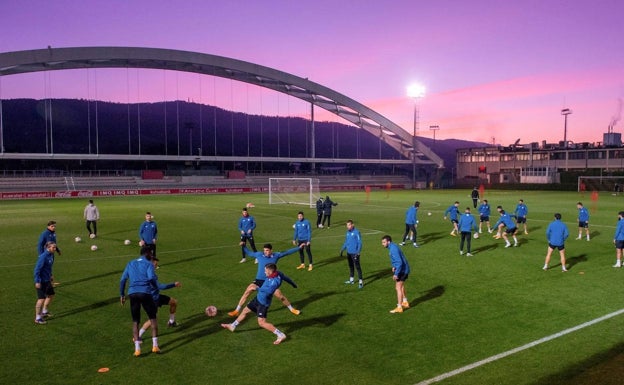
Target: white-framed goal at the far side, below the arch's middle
(298, 191)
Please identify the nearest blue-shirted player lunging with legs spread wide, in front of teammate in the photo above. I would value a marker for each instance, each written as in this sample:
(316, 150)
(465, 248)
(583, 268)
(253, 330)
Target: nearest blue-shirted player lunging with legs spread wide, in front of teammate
(260, 305)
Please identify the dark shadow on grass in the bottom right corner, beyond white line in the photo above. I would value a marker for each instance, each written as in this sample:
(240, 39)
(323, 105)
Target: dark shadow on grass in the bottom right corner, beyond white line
(603, 368)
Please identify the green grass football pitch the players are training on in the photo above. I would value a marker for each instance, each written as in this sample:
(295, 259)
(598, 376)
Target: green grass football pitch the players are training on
(464, 310)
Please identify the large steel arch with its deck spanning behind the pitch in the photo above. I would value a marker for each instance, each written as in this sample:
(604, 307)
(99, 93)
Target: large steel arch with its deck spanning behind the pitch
(20, 62)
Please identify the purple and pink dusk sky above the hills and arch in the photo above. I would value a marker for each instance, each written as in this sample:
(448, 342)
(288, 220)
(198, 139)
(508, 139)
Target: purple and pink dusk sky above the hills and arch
(494, 71)
